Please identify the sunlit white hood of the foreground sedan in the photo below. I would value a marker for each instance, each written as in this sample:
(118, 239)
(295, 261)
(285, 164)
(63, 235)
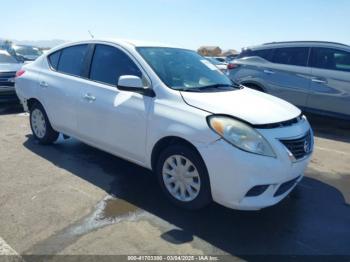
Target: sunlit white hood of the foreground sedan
(246, 104)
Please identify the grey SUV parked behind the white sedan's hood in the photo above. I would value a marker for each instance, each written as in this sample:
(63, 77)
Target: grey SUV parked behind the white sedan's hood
(312, 75)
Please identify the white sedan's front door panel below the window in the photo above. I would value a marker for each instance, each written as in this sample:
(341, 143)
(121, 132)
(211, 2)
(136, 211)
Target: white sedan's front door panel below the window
(113, 110)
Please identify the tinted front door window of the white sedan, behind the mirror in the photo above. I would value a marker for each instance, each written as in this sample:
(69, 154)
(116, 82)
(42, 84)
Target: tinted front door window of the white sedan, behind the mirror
(109, 63)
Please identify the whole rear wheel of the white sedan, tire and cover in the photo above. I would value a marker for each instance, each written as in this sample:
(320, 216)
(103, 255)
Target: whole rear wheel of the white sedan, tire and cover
(40, 125)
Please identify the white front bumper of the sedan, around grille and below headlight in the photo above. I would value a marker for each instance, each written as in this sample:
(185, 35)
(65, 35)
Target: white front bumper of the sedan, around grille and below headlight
(235, 174)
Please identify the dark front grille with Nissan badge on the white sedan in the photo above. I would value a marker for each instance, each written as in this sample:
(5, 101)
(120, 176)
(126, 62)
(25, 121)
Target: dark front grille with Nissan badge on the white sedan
(299, 147)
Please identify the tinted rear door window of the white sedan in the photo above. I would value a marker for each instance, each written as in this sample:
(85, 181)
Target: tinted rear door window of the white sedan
(72, 60)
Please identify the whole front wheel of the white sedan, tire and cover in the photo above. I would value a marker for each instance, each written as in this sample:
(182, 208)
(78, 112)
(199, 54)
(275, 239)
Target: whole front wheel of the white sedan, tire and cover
(194, 181)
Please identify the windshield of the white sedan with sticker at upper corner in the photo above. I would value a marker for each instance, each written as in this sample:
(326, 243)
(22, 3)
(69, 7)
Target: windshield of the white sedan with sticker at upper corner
(184, 70)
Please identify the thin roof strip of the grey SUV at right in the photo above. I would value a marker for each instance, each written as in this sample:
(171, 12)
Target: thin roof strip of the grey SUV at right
(299, 44)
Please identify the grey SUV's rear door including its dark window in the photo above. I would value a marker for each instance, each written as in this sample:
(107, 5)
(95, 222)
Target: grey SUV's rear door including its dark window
(288, 76)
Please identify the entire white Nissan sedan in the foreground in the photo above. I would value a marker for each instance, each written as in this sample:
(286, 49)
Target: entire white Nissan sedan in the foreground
(168, 109)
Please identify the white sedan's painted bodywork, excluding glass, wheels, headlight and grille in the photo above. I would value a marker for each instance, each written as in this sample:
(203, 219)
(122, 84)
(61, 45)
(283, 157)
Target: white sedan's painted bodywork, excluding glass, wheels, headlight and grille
(129, 125)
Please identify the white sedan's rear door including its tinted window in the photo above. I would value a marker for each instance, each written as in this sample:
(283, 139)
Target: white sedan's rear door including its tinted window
(60, 86)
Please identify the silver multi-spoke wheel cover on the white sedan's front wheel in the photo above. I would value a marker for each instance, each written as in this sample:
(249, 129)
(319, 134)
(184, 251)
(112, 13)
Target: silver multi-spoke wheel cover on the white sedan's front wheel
(181, 178)
